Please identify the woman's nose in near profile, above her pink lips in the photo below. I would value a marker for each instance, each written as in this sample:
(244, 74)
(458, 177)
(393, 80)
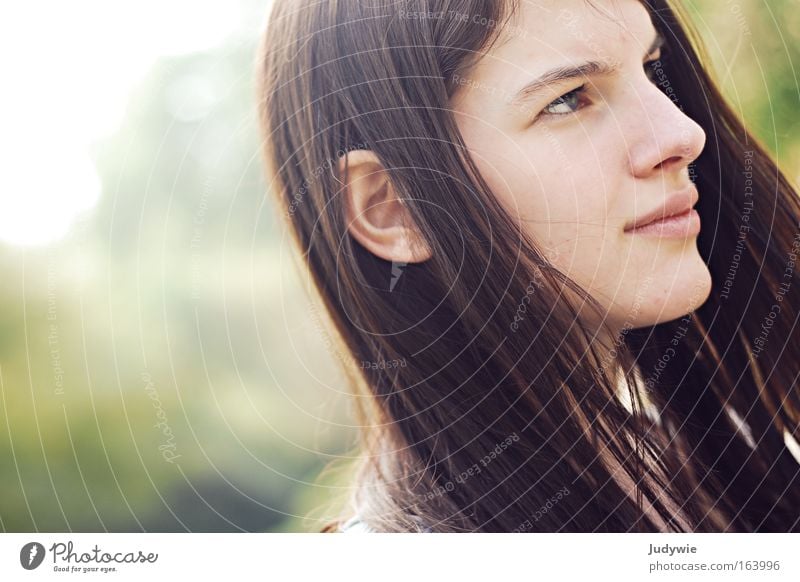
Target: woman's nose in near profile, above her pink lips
(665, 140)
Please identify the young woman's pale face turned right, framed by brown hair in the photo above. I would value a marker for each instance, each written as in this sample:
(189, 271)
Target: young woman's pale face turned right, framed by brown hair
(591, 149)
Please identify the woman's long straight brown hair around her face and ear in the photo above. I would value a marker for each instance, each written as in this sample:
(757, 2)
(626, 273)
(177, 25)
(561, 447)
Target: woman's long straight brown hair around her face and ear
(472, 423)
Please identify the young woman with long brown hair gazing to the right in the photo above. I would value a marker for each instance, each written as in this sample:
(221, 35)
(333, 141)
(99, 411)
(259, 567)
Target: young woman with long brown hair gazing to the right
(571, 271)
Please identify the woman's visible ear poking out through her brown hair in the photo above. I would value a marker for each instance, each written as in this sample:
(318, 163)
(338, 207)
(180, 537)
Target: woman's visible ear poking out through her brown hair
(376, 217)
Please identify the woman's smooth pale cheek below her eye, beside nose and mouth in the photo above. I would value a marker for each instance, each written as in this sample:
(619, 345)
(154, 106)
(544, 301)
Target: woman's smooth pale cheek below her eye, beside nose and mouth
(565, 191)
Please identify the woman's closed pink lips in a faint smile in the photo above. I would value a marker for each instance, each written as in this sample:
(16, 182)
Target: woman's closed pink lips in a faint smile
(676, 217)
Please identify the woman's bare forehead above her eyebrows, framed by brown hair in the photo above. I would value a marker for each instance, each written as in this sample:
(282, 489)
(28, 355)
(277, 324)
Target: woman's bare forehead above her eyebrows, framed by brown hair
(542, 34)
